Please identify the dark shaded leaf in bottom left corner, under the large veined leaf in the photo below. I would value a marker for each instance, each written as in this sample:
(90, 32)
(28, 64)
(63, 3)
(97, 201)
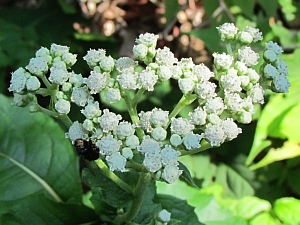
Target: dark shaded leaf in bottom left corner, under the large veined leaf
(37, 209)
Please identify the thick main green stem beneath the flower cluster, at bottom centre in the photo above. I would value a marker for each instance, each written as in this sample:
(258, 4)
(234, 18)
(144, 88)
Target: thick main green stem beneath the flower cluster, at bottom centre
(138, 196)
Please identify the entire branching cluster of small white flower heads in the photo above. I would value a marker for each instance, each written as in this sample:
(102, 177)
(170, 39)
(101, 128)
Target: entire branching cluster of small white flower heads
(239, 88)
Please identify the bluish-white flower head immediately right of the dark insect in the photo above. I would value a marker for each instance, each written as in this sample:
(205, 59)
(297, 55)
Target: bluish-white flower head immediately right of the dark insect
(108, 145)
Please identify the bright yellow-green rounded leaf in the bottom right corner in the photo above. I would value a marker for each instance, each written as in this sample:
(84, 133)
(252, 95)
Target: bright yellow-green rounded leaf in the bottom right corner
(287, 209)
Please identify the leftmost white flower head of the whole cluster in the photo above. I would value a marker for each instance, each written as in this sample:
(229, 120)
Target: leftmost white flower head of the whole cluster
(18, 80)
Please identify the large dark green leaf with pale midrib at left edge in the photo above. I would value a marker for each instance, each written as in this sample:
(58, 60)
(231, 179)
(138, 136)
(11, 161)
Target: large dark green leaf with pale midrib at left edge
(36, 162)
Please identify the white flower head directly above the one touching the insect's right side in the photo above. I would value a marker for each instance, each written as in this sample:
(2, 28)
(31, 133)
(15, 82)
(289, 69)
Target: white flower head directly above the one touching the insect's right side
(109, 120)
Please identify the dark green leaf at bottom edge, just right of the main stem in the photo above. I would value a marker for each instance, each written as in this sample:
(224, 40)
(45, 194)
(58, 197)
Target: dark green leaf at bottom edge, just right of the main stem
(179, 209)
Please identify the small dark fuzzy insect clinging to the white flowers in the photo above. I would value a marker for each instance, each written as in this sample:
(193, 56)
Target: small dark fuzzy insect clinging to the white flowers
(87, 149)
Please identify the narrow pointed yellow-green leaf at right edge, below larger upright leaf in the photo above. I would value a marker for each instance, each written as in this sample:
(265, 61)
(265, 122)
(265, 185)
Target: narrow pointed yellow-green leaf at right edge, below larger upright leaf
(287, 151)
